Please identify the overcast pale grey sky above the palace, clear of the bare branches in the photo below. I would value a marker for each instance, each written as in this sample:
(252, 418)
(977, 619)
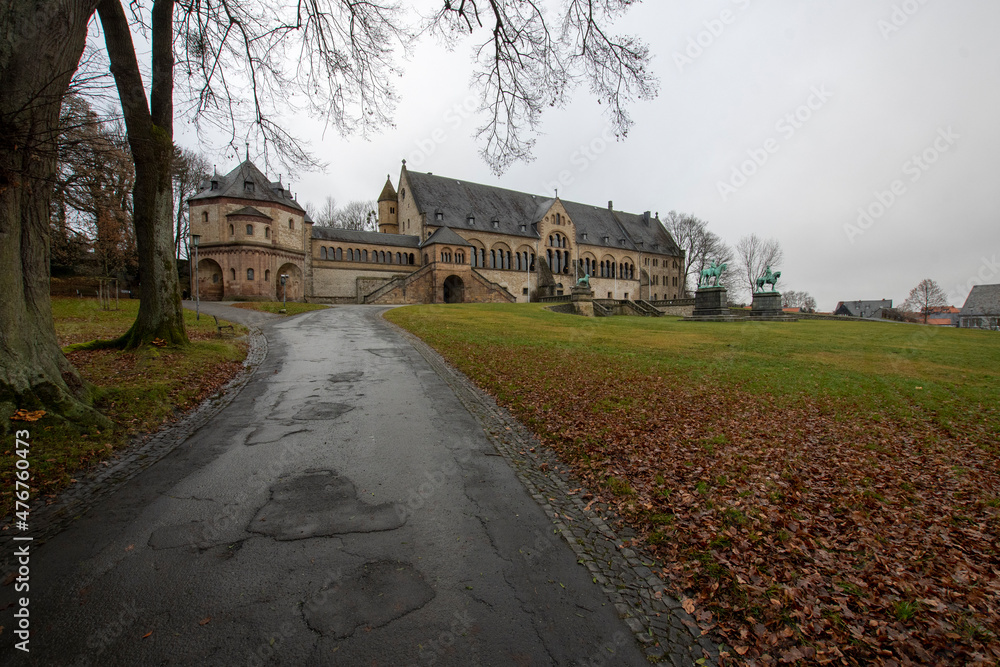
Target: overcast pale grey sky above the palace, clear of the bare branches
(862, 134)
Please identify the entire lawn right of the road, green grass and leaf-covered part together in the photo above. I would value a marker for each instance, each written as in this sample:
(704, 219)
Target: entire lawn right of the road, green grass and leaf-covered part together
(820, 482)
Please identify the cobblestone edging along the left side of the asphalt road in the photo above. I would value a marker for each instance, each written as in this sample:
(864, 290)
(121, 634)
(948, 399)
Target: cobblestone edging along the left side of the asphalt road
(143, 451)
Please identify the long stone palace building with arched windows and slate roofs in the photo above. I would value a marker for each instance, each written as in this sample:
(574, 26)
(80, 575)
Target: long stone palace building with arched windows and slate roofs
(439, 240)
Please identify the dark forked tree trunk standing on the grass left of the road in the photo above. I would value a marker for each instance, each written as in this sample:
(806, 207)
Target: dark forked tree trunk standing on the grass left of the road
(150, 136)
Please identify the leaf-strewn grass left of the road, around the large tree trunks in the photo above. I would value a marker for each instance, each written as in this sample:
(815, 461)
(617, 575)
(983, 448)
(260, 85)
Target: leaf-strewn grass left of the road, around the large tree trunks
(137, 390)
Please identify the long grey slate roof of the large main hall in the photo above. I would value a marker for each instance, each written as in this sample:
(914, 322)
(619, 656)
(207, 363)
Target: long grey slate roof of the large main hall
(458, 199)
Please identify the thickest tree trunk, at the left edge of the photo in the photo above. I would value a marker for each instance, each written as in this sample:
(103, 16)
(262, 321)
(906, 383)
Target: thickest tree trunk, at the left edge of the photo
(40, 47)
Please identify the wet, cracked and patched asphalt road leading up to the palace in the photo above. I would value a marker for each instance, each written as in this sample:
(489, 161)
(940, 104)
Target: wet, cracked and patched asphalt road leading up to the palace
(345, 509)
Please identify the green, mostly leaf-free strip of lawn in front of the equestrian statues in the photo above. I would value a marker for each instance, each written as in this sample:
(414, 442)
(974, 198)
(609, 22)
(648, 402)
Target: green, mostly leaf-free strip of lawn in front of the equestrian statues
(907, 371)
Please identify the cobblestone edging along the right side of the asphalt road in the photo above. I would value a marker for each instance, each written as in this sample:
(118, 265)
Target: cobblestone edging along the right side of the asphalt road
(666, 632)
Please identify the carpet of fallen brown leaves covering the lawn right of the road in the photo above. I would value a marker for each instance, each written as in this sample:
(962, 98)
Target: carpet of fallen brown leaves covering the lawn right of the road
(798, 532)
